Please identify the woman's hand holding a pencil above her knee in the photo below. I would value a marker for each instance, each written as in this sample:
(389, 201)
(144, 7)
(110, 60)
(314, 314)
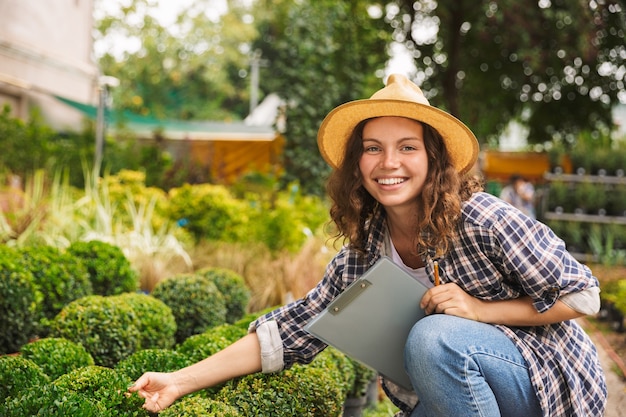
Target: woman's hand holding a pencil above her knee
(451, 299)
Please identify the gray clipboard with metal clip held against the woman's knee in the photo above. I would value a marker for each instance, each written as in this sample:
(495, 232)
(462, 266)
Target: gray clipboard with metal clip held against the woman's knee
(371, 319)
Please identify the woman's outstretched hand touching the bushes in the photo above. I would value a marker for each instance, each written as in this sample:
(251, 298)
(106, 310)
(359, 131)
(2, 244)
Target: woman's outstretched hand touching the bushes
(160, 390)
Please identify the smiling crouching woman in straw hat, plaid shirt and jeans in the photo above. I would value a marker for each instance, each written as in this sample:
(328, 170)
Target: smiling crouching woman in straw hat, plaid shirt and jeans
(499, 338)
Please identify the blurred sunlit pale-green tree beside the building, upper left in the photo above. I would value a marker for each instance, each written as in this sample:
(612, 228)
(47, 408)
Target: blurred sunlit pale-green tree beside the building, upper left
(189, 70)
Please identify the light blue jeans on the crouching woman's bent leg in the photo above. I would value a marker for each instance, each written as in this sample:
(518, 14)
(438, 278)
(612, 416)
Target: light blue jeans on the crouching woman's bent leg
(460, 367)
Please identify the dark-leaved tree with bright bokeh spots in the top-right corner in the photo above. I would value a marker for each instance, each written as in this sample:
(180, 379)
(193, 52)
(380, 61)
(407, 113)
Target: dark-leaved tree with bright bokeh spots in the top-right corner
(556, 65)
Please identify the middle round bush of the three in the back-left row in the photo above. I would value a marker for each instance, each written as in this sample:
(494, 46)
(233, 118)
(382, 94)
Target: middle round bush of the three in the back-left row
(60, 277)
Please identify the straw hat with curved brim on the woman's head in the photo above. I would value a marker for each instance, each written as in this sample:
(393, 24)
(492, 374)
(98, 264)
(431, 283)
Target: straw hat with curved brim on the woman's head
(399, 98)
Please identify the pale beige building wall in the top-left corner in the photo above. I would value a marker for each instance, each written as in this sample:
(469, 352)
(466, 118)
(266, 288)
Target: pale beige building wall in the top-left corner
(46, 49)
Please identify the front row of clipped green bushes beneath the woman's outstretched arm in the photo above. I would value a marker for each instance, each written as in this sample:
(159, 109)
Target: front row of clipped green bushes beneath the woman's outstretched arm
(67, 383)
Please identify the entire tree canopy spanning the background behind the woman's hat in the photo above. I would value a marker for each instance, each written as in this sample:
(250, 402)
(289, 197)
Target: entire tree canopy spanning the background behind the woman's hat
(556, 66)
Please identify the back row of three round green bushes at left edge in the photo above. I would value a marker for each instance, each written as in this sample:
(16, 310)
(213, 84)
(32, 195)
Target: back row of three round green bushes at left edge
(37, 282)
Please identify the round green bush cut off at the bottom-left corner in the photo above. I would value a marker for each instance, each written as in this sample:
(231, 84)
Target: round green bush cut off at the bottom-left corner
(52, 401)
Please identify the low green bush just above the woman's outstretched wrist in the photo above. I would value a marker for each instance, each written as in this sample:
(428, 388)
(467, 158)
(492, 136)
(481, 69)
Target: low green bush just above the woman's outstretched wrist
(157, 360)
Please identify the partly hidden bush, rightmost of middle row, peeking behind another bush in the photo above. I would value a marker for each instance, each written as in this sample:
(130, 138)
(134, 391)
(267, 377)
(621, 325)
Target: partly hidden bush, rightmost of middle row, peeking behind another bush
(233, 287)
